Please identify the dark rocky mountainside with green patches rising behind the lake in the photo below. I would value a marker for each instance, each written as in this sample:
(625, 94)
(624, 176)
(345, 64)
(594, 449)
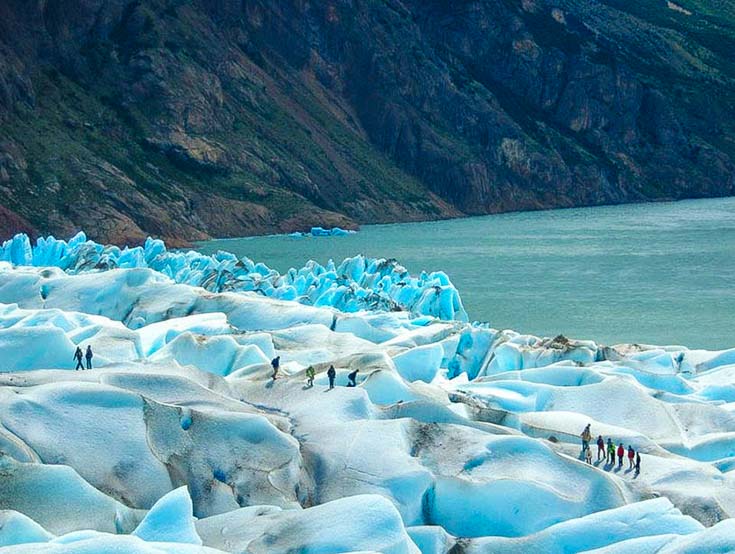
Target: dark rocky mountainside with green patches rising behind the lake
(190, 119)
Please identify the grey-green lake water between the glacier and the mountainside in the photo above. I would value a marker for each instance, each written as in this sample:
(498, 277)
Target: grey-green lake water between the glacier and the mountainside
(649, 273)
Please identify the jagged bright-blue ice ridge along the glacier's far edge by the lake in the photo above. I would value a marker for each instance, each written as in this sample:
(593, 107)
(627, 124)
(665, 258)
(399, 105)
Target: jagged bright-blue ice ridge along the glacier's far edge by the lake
(356, 284)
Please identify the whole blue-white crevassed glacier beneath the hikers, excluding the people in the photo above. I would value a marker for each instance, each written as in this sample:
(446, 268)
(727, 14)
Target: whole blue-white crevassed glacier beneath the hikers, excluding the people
(457, 437)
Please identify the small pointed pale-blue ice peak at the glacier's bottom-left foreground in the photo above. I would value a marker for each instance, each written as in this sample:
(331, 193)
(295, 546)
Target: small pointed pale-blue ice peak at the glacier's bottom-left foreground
(170, 520)
